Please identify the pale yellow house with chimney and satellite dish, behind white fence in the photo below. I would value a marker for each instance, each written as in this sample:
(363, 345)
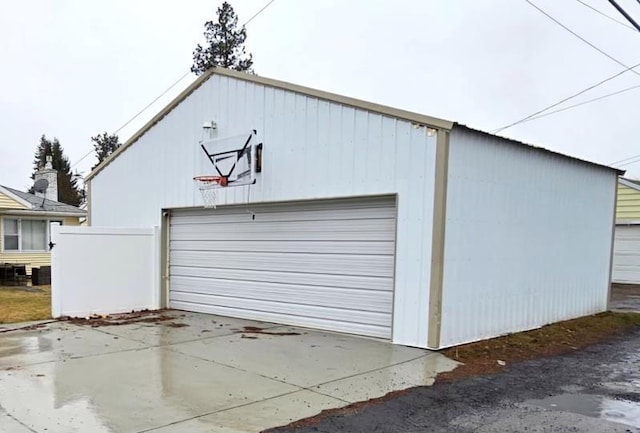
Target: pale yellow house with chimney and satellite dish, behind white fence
(26, 219)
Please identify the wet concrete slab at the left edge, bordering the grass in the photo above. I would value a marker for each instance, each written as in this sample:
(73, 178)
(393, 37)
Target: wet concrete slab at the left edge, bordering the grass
(57, 342)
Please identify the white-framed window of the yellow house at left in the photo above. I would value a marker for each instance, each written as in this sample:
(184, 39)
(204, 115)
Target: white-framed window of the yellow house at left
(25, 234)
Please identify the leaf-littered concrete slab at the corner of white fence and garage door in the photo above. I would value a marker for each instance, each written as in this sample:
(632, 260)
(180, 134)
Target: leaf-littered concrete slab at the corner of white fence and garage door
(185, 327)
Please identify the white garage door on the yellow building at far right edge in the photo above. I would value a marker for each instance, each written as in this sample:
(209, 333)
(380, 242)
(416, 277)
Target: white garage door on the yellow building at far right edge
(626, 257)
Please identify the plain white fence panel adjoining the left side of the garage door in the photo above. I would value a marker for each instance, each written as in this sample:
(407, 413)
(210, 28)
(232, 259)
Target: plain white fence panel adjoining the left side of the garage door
(102, 270)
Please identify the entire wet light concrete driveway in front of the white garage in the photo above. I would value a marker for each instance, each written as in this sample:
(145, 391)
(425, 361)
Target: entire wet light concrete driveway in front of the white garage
(188, 372)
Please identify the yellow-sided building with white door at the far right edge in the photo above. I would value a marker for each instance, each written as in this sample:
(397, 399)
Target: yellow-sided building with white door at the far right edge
(626, 262)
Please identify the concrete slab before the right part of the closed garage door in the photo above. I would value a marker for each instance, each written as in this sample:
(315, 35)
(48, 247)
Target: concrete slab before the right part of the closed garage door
(308, 359)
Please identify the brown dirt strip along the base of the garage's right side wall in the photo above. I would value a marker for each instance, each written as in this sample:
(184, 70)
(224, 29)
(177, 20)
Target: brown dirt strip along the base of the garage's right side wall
(492, 356)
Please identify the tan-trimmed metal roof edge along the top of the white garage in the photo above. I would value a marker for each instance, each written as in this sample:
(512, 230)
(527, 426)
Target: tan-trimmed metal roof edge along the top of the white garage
(332, 97)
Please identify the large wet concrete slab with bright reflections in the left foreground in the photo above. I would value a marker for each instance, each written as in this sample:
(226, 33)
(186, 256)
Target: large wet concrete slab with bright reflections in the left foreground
(128, 391)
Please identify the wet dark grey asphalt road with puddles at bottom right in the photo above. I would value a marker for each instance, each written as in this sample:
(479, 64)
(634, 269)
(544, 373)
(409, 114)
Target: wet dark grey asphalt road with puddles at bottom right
(593, 390)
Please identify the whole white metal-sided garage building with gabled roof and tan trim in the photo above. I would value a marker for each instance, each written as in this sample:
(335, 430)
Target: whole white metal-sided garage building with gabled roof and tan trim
(363, 219)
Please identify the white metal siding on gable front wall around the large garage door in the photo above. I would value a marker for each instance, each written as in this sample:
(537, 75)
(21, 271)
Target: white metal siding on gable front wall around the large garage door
(312, 149)
